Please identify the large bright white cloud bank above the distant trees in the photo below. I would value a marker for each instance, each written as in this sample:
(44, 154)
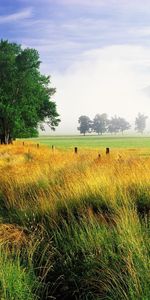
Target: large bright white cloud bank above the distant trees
(105, 80)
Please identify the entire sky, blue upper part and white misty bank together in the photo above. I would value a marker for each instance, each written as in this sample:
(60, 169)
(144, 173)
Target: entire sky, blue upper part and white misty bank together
(96, 51)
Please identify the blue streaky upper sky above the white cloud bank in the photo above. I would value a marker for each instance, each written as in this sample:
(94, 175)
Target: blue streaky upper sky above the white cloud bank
(64, 29)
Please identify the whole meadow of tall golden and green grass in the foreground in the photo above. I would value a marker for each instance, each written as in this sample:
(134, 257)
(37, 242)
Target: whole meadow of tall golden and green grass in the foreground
(74, 226)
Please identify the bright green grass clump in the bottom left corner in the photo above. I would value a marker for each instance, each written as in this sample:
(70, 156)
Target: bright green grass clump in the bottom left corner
(17, 282)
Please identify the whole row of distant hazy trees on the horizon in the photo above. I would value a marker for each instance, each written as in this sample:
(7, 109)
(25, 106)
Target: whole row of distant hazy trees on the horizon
(102, 124)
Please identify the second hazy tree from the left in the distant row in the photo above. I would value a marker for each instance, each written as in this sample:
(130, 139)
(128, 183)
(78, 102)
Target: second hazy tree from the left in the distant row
(100, 123)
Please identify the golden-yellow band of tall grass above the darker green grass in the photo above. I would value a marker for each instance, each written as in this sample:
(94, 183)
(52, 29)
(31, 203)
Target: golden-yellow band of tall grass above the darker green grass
(29, 175)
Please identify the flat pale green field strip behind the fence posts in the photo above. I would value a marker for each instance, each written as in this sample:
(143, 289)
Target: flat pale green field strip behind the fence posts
(67, 142)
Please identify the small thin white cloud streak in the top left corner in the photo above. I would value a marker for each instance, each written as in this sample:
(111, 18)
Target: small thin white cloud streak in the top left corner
(21, 15)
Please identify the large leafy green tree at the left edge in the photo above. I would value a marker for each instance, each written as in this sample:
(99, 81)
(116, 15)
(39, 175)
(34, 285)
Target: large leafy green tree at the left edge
(25, 94)
